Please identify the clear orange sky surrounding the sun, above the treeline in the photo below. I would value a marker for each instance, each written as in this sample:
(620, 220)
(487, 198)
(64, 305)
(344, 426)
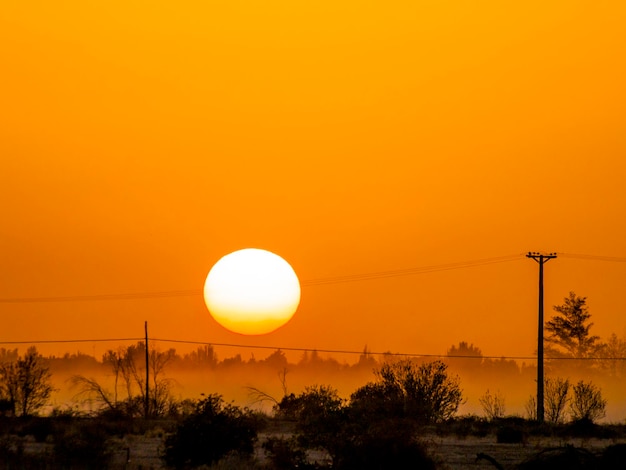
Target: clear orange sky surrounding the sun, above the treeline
(142, 141)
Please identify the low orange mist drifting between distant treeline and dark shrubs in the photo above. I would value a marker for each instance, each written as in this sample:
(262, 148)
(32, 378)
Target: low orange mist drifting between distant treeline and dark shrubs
(258, 383)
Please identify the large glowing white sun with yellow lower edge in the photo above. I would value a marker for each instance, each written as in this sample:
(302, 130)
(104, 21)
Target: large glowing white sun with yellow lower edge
(252, 291)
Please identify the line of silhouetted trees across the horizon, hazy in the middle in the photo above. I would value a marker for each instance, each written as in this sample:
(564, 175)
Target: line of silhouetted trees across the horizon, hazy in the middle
(569, 342)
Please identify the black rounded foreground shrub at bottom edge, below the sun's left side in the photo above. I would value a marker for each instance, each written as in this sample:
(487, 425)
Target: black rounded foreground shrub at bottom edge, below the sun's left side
(212, 431)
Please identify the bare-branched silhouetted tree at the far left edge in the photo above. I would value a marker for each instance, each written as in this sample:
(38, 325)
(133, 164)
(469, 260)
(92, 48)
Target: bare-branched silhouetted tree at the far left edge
(25, 383)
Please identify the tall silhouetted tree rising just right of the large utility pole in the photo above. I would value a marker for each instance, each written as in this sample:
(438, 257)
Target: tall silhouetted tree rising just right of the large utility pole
(568, 331)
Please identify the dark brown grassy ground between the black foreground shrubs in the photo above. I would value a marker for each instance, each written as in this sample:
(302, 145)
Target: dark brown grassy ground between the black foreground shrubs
(139, 445)
